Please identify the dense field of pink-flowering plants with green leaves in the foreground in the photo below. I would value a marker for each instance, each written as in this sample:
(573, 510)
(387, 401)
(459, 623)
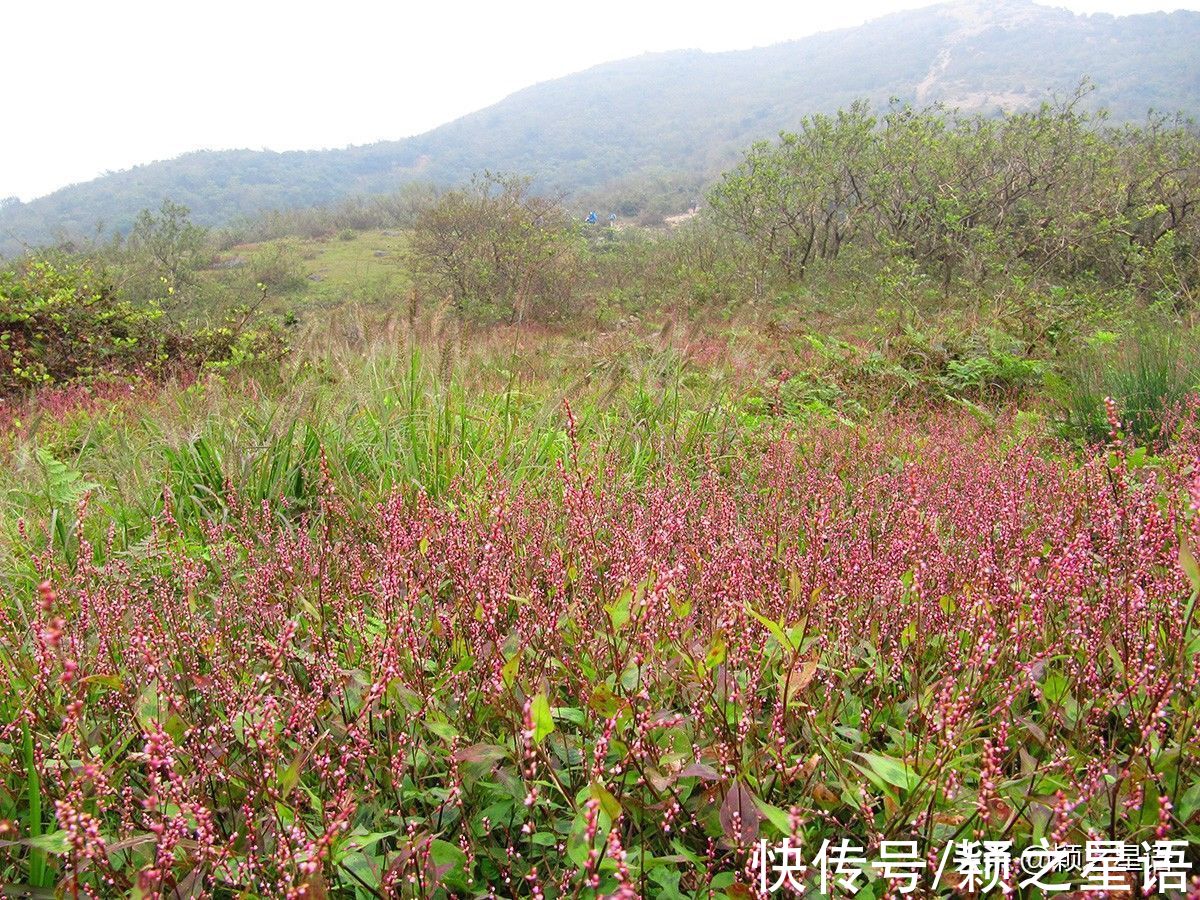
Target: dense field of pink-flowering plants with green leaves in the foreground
(922, 632)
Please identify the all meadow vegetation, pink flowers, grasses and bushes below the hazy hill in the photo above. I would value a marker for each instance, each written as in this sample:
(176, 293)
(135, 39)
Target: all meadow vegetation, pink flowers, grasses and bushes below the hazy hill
(506, 556)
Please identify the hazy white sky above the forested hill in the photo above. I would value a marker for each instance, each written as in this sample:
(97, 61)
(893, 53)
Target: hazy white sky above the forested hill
(95, 86)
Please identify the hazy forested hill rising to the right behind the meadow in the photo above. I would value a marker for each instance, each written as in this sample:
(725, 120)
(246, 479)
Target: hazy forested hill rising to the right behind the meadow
(685, 112)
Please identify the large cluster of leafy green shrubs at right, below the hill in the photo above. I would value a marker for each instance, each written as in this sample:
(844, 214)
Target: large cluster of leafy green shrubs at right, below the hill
(1052, 195)
